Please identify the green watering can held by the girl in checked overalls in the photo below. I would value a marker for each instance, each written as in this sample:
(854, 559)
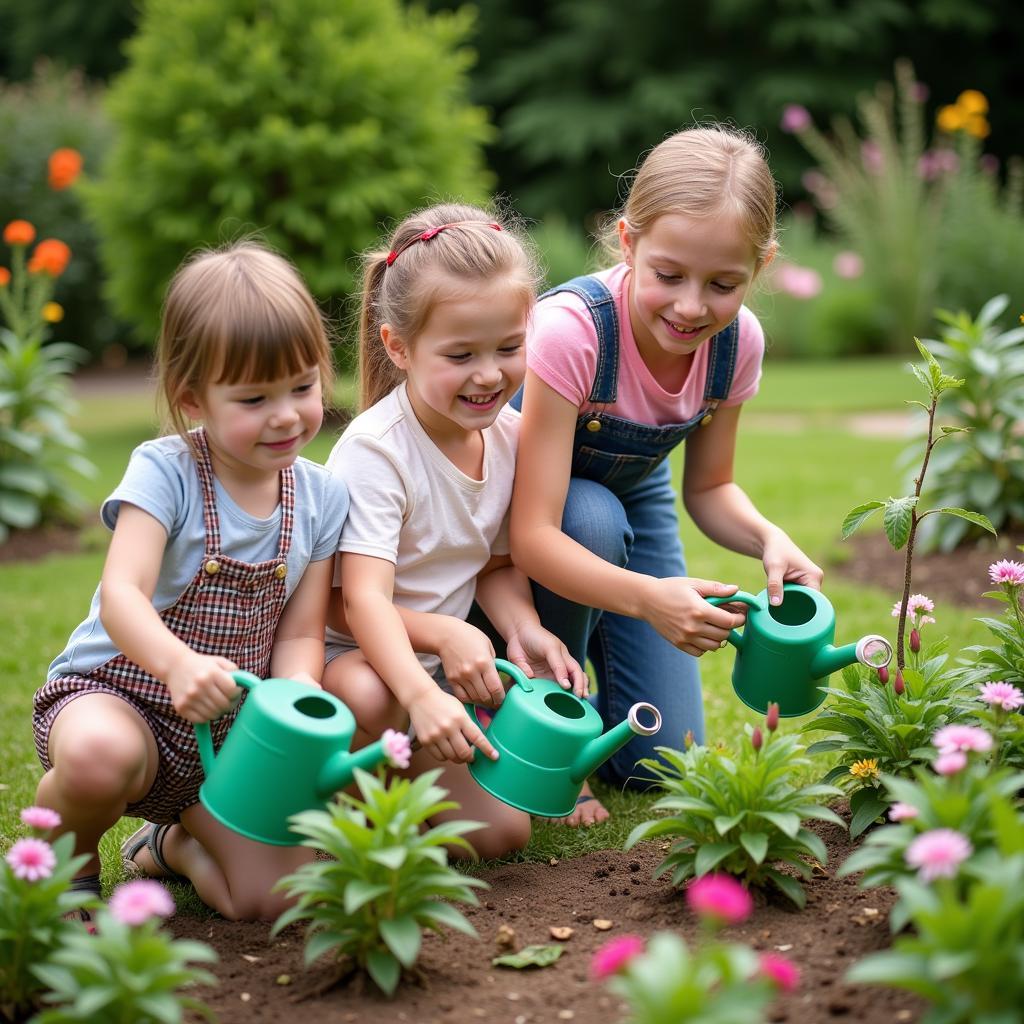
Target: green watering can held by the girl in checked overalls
(287, 752)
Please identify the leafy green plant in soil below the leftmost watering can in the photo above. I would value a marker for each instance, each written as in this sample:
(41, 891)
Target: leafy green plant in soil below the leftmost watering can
(389, 879)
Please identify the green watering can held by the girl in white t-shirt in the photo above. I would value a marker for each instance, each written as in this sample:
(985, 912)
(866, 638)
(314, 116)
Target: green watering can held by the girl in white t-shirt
(549, 741)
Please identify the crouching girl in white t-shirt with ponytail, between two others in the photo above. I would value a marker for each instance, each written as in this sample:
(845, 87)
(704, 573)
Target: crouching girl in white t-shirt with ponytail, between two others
(430, 467)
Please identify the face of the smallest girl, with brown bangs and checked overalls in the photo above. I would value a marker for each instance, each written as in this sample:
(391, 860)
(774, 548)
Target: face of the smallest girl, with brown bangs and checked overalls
(260, 428)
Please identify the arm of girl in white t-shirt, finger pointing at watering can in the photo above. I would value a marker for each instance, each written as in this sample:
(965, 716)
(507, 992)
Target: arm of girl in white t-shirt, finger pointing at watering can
(441, 722)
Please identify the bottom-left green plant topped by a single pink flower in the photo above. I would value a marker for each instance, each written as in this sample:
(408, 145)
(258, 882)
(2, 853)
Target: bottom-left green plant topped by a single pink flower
(130, 970)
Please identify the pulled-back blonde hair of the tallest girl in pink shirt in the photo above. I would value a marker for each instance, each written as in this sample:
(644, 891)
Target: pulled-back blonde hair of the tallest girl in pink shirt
(705, 172)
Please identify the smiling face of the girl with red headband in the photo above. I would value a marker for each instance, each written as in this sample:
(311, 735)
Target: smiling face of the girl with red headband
(468, 360)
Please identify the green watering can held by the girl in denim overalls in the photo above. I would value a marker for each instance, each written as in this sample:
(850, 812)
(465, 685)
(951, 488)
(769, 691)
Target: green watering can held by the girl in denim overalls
(786, 652)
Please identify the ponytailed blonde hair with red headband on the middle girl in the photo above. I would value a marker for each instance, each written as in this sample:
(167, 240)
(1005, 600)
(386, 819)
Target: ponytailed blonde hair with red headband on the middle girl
(475, 246)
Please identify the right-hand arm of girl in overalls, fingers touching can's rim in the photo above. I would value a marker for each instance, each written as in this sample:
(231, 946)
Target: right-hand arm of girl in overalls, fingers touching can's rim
(724, 513)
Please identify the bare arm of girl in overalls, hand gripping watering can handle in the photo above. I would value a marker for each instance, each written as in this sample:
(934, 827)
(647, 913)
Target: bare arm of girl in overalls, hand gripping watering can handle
(674, 607)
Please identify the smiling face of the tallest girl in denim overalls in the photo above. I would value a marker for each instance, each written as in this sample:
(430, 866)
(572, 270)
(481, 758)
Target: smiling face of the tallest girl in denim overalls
(689, 282)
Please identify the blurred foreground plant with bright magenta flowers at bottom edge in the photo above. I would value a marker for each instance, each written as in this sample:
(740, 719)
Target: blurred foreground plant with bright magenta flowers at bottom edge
(667, 983)
